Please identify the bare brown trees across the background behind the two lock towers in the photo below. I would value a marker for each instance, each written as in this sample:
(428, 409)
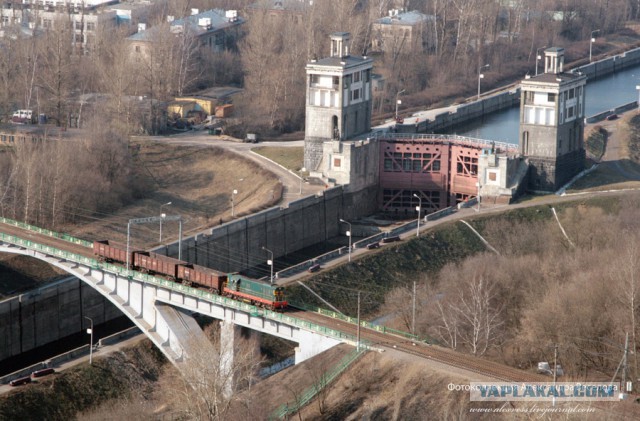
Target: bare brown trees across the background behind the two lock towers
(47, 73)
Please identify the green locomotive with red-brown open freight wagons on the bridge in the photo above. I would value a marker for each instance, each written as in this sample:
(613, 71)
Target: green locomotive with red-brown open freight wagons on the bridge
(231, 285)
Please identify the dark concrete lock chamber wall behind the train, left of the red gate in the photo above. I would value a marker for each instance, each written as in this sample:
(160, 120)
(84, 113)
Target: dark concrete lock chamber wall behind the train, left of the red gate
(237, 245)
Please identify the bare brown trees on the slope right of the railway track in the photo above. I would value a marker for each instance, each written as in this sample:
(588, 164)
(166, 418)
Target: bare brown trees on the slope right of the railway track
(579, 293)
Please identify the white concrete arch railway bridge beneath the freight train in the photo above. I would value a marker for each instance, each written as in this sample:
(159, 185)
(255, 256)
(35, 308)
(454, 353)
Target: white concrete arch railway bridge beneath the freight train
(159, 307)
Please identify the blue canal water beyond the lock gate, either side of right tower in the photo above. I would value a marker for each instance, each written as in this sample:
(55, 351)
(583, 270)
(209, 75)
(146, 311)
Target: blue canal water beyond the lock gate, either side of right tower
(601, 95)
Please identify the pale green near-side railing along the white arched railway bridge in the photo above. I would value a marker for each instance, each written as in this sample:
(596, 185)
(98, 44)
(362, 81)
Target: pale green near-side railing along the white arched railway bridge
(187, 290)
